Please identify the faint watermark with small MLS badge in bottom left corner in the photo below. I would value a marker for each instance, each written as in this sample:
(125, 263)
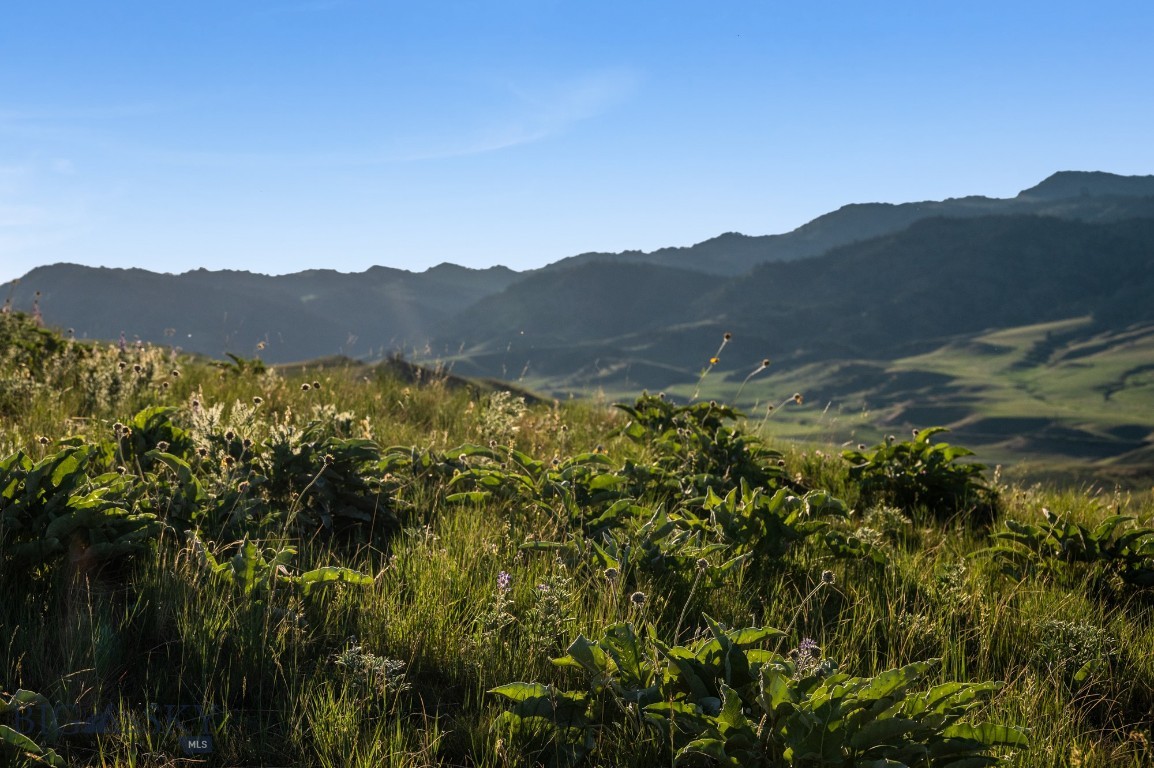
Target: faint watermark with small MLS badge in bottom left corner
(192, 725)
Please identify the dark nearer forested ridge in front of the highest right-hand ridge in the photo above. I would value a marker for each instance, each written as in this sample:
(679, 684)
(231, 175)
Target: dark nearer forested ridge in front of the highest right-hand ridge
(879, 299)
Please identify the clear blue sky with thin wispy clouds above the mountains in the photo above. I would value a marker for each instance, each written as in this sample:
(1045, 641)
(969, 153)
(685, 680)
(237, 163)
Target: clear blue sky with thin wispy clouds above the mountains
(283, 135)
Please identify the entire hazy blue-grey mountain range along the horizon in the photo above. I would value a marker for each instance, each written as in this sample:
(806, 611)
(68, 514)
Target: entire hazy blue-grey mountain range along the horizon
(864, 285)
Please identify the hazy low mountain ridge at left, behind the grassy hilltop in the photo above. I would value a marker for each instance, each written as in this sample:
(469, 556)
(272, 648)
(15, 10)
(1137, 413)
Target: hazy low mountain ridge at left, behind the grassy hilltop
(284, 318)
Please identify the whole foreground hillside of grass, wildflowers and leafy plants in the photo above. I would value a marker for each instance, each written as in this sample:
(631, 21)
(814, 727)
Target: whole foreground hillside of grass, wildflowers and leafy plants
(332, 567)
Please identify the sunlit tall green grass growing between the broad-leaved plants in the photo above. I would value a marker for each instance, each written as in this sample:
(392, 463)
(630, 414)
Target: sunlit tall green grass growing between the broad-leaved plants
(398, 672)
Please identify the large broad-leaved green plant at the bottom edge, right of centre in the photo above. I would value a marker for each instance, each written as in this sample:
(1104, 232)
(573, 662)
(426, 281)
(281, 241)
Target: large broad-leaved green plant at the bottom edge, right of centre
(728, 699)
